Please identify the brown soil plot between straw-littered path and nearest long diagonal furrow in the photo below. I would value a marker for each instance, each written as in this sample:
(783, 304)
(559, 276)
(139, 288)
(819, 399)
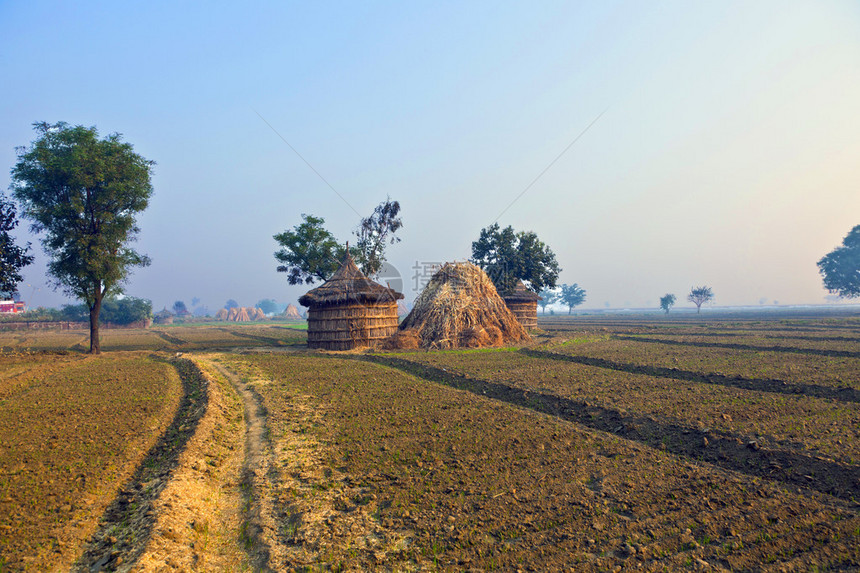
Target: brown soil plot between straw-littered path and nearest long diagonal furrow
(467, 482)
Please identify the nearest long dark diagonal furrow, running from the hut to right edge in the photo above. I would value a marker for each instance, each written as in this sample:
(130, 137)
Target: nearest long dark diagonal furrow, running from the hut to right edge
(724, 449)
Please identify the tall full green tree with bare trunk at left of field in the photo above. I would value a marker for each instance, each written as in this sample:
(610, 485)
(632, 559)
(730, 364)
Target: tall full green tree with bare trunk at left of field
(83, 194)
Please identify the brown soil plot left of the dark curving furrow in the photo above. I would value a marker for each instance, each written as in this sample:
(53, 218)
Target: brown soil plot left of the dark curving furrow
(72, 432)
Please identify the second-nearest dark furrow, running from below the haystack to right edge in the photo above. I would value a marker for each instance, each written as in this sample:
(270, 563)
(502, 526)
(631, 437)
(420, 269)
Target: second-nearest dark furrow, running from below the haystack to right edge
(844, 394)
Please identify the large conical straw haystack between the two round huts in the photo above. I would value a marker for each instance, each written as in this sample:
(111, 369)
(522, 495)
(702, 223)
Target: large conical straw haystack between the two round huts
(459, 308)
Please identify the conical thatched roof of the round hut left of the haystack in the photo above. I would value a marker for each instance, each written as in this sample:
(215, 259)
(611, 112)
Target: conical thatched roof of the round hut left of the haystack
(348, 285)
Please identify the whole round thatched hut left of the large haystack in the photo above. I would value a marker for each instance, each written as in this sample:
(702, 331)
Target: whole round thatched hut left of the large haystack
(350, 311)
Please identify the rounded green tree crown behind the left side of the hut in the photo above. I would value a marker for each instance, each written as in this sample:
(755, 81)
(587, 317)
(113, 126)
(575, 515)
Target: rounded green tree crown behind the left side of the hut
(309, 252)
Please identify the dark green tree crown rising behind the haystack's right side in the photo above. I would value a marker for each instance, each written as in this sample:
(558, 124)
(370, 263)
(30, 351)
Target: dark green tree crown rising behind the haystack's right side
(509, 257)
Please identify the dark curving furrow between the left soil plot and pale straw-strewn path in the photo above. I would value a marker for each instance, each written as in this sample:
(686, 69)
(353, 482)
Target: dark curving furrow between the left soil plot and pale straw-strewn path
(126, 525)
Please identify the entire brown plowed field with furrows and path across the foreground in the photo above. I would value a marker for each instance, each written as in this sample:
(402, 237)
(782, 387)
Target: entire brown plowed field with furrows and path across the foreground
(604, 444)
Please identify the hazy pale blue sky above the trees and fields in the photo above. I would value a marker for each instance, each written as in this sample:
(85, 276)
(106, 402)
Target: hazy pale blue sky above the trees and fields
(653, 146)
